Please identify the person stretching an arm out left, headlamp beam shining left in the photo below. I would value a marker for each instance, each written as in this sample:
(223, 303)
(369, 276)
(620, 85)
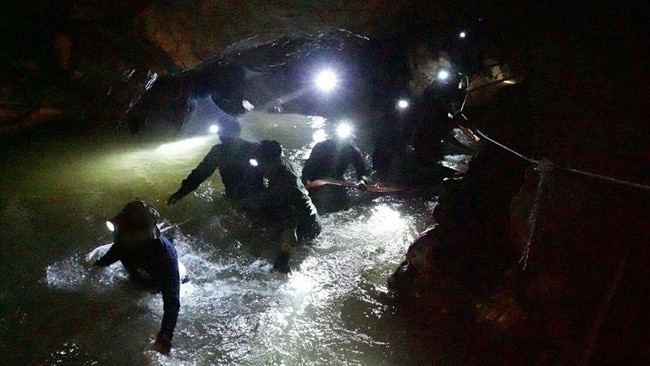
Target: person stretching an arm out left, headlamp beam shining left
(232, 157)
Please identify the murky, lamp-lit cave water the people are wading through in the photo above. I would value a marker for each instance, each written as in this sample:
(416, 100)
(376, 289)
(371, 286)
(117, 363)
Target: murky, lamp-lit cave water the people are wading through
(234, 310)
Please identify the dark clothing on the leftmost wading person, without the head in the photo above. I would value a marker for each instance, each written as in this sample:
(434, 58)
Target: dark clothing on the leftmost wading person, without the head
(157, 264)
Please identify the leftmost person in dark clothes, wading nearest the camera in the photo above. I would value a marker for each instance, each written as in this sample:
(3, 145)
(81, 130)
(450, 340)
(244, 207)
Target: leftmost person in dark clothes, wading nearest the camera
(149, 258)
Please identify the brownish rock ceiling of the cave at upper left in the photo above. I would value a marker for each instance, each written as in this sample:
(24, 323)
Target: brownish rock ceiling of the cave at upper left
(60, 58)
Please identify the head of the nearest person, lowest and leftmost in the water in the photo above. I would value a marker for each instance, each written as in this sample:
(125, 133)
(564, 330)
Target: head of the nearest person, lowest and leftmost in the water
(135, 225)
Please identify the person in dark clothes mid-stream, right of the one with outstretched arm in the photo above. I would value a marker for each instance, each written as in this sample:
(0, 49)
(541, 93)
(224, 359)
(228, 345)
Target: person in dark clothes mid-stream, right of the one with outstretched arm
(285, 200)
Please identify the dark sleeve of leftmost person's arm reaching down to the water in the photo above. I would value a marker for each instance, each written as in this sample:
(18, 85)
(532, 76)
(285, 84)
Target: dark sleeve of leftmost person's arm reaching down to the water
(170, 288)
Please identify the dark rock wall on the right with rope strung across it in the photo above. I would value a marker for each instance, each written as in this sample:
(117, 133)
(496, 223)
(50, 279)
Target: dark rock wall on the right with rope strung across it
(565, 283)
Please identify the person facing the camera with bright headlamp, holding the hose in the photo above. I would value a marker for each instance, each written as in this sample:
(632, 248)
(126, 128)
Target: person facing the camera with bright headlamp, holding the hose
(330, 159)
